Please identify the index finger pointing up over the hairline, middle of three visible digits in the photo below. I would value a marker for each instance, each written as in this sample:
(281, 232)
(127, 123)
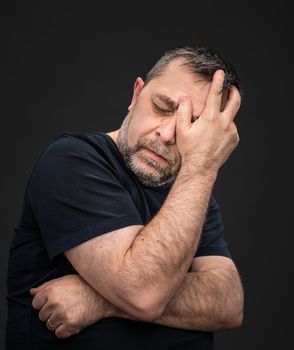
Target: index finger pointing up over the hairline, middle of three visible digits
(214, 97)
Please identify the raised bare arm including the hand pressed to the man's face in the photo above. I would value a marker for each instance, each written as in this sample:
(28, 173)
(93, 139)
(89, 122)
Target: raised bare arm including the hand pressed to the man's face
(140, 268)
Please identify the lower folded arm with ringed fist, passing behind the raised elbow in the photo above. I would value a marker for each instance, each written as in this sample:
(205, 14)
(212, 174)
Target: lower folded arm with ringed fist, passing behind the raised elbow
(210, 298)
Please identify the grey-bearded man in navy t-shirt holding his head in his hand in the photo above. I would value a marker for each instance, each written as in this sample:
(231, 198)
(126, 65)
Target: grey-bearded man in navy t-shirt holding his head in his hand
(120, 239)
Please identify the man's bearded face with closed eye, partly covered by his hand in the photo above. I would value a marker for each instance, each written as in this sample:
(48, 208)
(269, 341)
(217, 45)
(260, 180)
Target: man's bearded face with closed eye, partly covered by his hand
(147, 138)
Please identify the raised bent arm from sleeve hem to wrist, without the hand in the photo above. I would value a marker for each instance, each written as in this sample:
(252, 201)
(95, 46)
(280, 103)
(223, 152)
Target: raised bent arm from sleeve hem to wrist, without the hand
(138, 269)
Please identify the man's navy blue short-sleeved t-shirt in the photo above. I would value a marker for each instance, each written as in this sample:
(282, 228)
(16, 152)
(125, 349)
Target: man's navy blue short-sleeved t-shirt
(80, 188)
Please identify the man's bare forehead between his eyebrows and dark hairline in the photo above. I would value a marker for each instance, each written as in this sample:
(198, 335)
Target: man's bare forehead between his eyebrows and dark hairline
(177, 81)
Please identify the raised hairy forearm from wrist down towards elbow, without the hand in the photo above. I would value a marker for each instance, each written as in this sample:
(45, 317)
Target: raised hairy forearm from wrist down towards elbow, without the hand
(162, 252)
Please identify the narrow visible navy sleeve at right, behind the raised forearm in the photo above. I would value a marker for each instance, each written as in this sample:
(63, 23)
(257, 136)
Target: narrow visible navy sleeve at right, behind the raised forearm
(212, 239)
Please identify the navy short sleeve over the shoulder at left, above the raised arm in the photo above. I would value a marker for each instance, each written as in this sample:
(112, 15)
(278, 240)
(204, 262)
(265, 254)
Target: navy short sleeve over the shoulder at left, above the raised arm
(76, 194)
